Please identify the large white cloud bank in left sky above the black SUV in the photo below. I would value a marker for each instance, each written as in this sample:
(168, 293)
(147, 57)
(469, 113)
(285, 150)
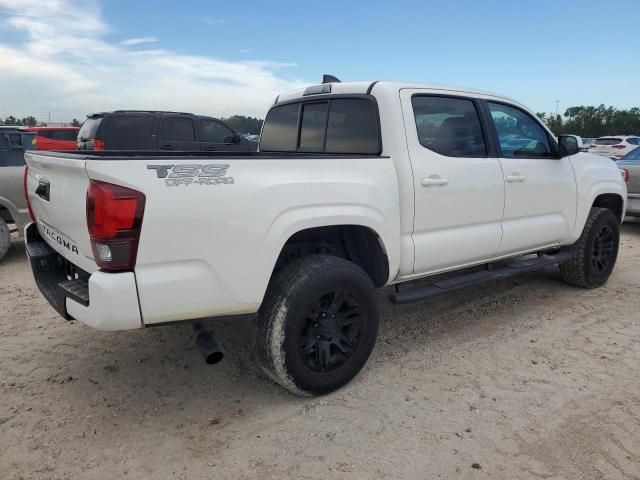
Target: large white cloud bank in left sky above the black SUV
(65, 65)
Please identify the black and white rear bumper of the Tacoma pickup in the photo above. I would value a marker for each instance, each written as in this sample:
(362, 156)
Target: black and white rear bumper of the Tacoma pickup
(105, 301)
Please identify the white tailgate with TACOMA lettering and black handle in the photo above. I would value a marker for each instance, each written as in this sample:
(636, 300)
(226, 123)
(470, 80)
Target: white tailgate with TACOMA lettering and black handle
(57, 190)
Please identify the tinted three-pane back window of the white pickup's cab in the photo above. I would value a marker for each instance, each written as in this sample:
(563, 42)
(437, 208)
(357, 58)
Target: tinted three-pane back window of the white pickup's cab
(333, 124)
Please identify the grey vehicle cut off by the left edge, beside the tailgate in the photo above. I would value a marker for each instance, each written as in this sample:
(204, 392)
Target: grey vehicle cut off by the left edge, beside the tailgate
(13, 204)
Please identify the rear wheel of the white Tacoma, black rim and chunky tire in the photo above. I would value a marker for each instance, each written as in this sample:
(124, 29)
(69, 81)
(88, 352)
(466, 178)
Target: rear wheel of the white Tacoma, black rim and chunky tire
(284, 318)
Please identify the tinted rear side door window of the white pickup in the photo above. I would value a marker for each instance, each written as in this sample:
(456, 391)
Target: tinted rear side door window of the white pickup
(449, 126)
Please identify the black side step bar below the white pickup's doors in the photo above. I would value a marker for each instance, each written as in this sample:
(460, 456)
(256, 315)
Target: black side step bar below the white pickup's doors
(495, 273)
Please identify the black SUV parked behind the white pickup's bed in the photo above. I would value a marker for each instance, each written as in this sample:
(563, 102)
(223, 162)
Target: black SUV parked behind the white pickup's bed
(151, 130)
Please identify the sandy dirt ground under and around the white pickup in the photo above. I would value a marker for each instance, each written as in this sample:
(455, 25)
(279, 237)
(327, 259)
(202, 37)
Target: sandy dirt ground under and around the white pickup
(527, 379)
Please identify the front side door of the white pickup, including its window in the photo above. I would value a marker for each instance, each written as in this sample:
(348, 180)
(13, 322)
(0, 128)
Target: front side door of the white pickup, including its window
(540, 189)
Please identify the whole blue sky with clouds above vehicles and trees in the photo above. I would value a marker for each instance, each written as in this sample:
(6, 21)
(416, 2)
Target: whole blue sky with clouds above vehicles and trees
(226, 57)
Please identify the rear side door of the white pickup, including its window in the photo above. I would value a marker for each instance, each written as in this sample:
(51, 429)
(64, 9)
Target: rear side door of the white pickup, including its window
(459, 189)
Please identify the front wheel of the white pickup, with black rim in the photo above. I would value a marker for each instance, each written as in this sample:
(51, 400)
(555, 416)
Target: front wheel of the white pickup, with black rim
(580, 269)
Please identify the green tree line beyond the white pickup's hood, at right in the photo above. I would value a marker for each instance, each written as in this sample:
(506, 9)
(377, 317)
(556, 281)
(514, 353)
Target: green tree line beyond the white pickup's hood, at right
(594, 122)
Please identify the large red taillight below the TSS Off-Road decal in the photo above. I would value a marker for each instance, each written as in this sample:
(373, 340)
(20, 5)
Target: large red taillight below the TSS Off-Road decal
(114, 218)
